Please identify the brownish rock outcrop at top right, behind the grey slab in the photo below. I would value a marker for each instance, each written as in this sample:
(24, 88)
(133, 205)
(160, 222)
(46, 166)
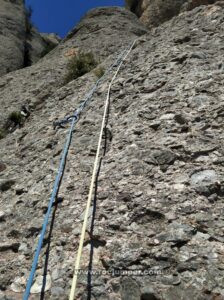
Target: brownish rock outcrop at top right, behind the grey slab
(154, 12)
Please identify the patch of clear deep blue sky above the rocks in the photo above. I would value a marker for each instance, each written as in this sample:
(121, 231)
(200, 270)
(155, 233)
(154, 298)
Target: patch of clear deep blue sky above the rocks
(60, 16)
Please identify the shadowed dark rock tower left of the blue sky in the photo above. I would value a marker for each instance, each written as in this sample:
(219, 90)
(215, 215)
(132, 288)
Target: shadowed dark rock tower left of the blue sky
(21, 44)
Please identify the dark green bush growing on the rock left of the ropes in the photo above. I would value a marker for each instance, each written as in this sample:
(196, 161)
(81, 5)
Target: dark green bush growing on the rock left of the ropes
(79, 65)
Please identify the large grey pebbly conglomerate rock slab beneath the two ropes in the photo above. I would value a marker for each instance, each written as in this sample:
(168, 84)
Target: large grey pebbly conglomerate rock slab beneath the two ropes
(158, 209)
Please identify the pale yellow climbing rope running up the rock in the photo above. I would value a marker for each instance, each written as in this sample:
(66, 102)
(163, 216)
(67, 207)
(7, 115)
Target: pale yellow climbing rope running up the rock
(96, 162)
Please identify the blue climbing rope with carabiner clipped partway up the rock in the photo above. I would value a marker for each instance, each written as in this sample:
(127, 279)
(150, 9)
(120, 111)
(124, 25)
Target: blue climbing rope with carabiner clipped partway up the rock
(73, 119)
